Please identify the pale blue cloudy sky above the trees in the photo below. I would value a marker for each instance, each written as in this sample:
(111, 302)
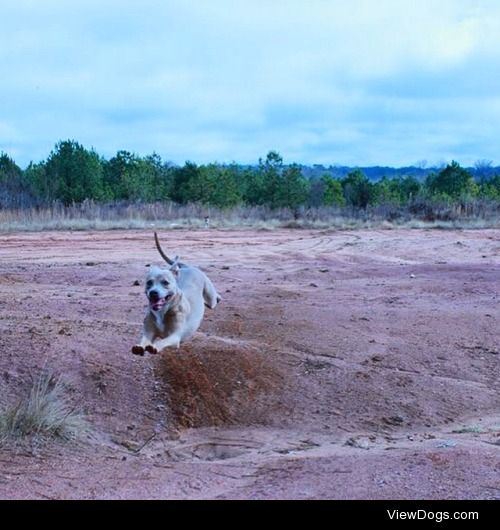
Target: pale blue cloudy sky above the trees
(333, 82)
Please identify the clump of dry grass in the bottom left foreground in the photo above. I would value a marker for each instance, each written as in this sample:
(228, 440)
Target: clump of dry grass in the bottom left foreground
(44, 413)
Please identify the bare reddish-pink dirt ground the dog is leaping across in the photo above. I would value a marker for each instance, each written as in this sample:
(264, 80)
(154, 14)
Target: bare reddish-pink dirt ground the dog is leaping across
(340, 365)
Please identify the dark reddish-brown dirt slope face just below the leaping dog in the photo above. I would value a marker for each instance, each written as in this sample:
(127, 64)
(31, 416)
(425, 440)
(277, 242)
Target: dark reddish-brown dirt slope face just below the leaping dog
(220, 384)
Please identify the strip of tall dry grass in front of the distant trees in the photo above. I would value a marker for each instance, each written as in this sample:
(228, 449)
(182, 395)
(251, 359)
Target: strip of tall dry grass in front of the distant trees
(98, 216)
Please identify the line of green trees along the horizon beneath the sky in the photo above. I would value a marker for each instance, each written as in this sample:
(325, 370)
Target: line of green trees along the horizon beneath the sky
(72, 174)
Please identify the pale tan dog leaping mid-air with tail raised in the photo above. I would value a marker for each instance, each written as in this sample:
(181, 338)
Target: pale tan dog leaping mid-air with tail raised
(177, 297)
